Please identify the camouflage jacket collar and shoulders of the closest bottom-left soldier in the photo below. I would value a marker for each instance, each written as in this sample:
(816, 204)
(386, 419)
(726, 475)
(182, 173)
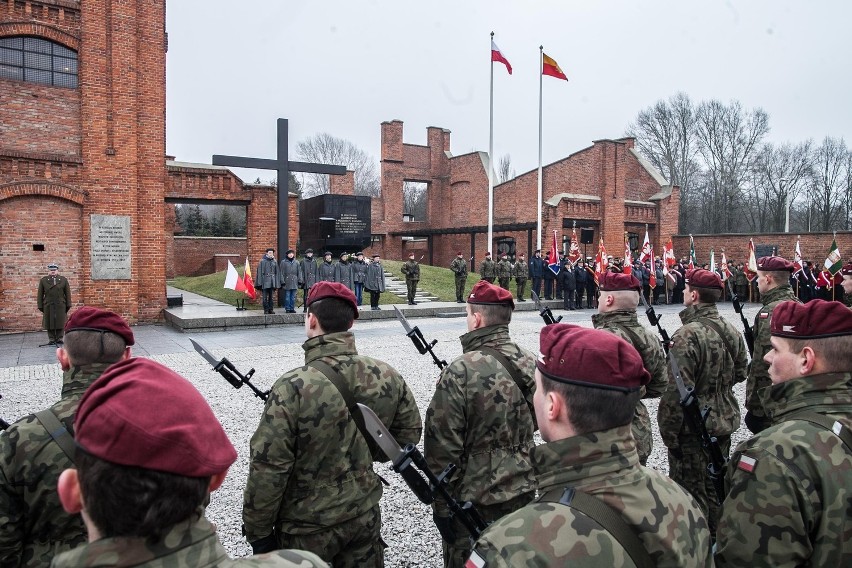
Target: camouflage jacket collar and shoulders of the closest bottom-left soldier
(192, 543)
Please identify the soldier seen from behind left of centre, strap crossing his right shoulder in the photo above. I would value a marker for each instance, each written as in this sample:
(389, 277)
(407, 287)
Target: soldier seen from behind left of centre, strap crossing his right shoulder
(311, 483)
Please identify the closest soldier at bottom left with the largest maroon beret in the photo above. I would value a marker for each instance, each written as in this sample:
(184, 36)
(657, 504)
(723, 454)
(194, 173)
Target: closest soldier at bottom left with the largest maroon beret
(141, 478)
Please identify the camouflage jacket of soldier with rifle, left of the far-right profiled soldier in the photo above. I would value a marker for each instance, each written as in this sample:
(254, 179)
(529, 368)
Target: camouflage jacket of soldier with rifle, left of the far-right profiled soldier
(705, 363)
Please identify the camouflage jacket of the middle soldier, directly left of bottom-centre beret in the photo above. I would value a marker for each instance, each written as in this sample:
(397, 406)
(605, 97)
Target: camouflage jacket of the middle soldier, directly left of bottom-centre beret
(478, 419)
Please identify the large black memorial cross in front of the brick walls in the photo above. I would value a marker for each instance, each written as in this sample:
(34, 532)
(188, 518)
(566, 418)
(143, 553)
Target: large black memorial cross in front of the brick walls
(283, 166)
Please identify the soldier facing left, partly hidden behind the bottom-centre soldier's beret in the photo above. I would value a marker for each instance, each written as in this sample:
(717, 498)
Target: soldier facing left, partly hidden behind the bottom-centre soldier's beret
(617, 314)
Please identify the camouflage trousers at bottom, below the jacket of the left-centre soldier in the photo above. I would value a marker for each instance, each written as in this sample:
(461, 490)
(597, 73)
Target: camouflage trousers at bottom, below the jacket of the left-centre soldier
(357, 542)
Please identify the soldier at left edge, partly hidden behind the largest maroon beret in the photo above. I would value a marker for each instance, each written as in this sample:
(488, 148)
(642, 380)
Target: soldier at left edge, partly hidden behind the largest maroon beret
(33, 526)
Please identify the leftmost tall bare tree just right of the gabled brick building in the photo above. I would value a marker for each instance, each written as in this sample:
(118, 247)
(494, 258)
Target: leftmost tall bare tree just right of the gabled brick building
(666, 134)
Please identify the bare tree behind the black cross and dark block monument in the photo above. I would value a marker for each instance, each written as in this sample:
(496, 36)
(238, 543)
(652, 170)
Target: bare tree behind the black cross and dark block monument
(326, 149)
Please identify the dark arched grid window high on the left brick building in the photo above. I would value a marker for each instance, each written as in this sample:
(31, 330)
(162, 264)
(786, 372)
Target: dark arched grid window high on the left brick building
(38, 60)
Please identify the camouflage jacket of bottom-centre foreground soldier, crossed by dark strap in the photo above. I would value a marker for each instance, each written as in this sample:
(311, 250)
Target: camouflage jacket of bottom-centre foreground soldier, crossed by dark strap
(604, 465)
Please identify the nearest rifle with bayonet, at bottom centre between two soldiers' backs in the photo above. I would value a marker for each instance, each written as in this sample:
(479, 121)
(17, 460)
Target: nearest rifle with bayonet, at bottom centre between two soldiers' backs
(411, 465)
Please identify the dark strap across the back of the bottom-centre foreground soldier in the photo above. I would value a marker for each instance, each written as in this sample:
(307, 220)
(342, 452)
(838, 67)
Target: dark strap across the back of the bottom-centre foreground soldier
(606, 517)
